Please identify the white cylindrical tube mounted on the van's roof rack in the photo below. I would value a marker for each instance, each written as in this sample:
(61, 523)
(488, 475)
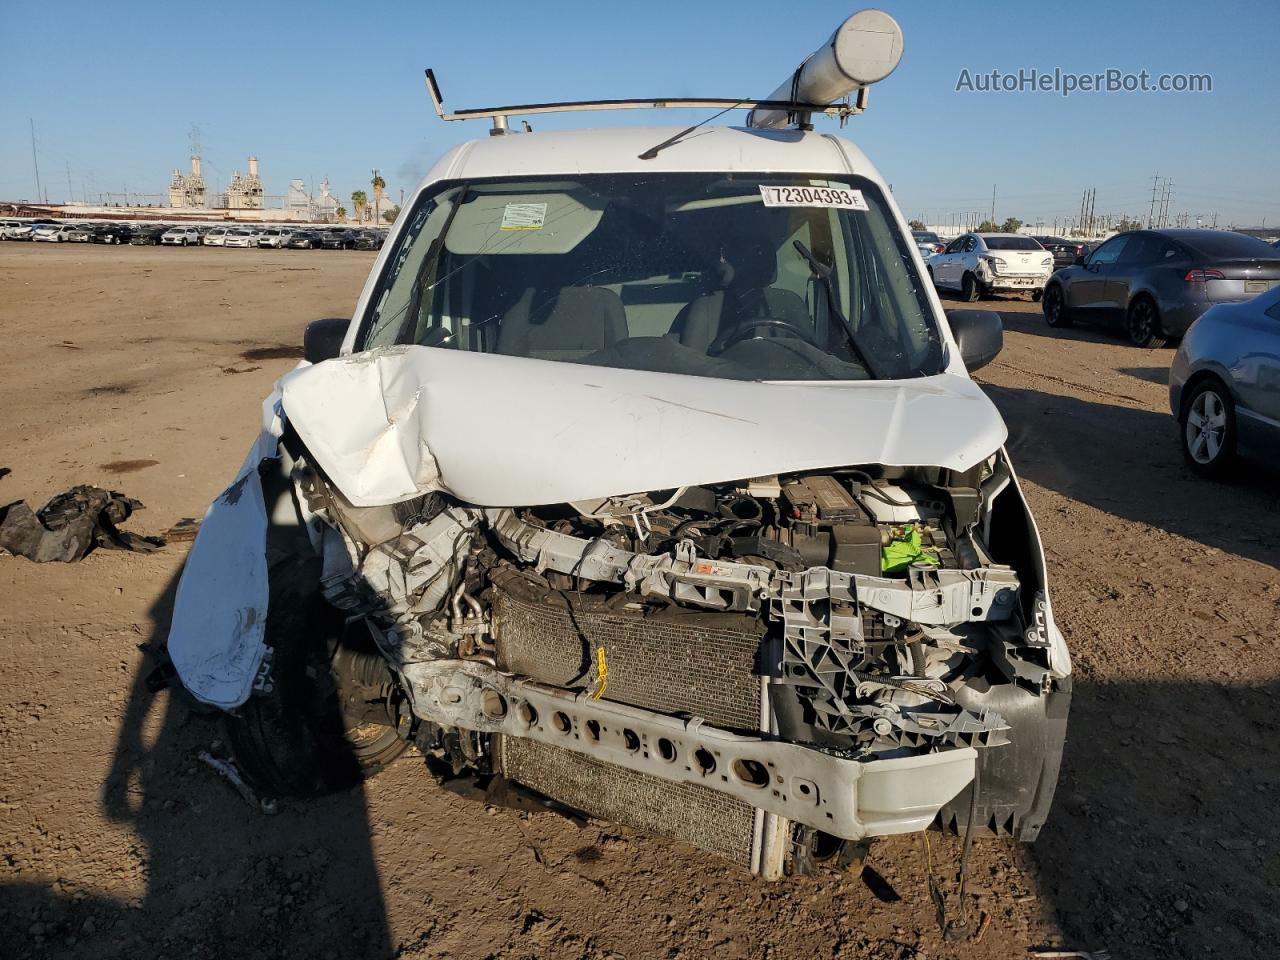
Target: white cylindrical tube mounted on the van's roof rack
(863, 51)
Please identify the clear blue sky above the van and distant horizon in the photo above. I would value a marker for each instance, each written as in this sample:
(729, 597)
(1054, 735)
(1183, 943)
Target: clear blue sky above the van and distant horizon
(336, 90)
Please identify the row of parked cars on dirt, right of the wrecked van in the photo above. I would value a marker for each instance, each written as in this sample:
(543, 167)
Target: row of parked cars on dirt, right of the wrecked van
(1217, 291)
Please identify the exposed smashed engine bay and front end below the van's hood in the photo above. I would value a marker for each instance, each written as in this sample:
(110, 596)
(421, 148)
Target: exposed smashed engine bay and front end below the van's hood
(756, 668)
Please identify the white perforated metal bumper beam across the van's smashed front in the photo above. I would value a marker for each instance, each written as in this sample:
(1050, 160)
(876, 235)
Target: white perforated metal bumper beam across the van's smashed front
(844, 796)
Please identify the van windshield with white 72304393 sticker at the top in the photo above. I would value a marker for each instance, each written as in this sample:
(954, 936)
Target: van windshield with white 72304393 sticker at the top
(711, 276)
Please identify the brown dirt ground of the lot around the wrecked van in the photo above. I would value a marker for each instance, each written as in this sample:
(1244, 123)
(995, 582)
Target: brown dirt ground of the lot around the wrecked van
(144, 371)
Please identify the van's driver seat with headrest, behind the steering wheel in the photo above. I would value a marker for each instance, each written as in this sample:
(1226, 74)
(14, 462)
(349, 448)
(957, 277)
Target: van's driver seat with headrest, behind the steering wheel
(747, 294)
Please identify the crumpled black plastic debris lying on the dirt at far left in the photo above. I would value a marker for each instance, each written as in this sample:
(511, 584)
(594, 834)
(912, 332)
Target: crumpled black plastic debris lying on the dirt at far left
(71, 525)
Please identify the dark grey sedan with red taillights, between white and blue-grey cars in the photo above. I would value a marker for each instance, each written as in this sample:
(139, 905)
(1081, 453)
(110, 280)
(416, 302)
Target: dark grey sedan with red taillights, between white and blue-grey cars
(1154, 285)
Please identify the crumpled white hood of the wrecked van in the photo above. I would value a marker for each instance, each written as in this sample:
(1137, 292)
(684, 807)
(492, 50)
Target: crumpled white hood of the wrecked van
(505, 432)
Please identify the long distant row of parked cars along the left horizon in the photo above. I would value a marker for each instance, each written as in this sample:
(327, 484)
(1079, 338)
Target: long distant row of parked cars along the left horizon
(194, 235)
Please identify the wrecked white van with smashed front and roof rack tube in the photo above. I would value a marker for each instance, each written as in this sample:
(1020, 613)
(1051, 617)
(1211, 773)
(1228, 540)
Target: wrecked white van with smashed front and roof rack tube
(647, 481)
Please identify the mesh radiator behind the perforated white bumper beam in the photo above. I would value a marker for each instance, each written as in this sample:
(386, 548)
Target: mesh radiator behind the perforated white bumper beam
(673, 662)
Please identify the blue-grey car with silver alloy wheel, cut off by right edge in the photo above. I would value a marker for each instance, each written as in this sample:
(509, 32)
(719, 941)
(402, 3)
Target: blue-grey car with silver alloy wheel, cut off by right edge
(1224, 385)
